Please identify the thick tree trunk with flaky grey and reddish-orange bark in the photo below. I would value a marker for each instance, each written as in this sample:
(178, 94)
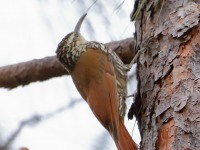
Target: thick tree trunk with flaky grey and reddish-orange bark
(167, 105)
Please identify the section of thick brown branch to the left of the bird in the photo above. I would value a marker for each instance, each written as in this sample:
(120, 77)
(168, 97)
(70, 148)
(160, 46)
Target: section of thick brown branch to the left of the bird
(24, 73)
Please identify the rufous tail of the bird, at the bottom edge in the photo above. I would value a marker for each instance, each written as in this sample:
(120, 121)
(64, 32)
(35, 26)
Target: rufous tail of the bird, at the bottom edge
(125, 142)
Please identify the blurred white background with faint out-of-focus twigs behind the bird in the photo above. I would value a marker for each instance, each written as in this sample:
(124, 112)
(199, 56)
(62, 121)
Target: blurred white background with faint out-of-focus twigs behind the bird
(51, 115)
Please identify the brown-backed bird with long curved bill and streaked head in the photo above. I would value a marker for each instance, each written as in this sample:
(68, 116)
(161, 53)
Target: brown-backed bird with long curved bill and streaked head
(100, 77)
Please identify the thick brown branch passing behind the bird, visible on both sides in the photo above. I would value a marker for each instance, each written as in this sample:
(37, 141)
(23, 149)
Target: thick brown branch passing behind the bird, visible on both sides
(24, 73)
